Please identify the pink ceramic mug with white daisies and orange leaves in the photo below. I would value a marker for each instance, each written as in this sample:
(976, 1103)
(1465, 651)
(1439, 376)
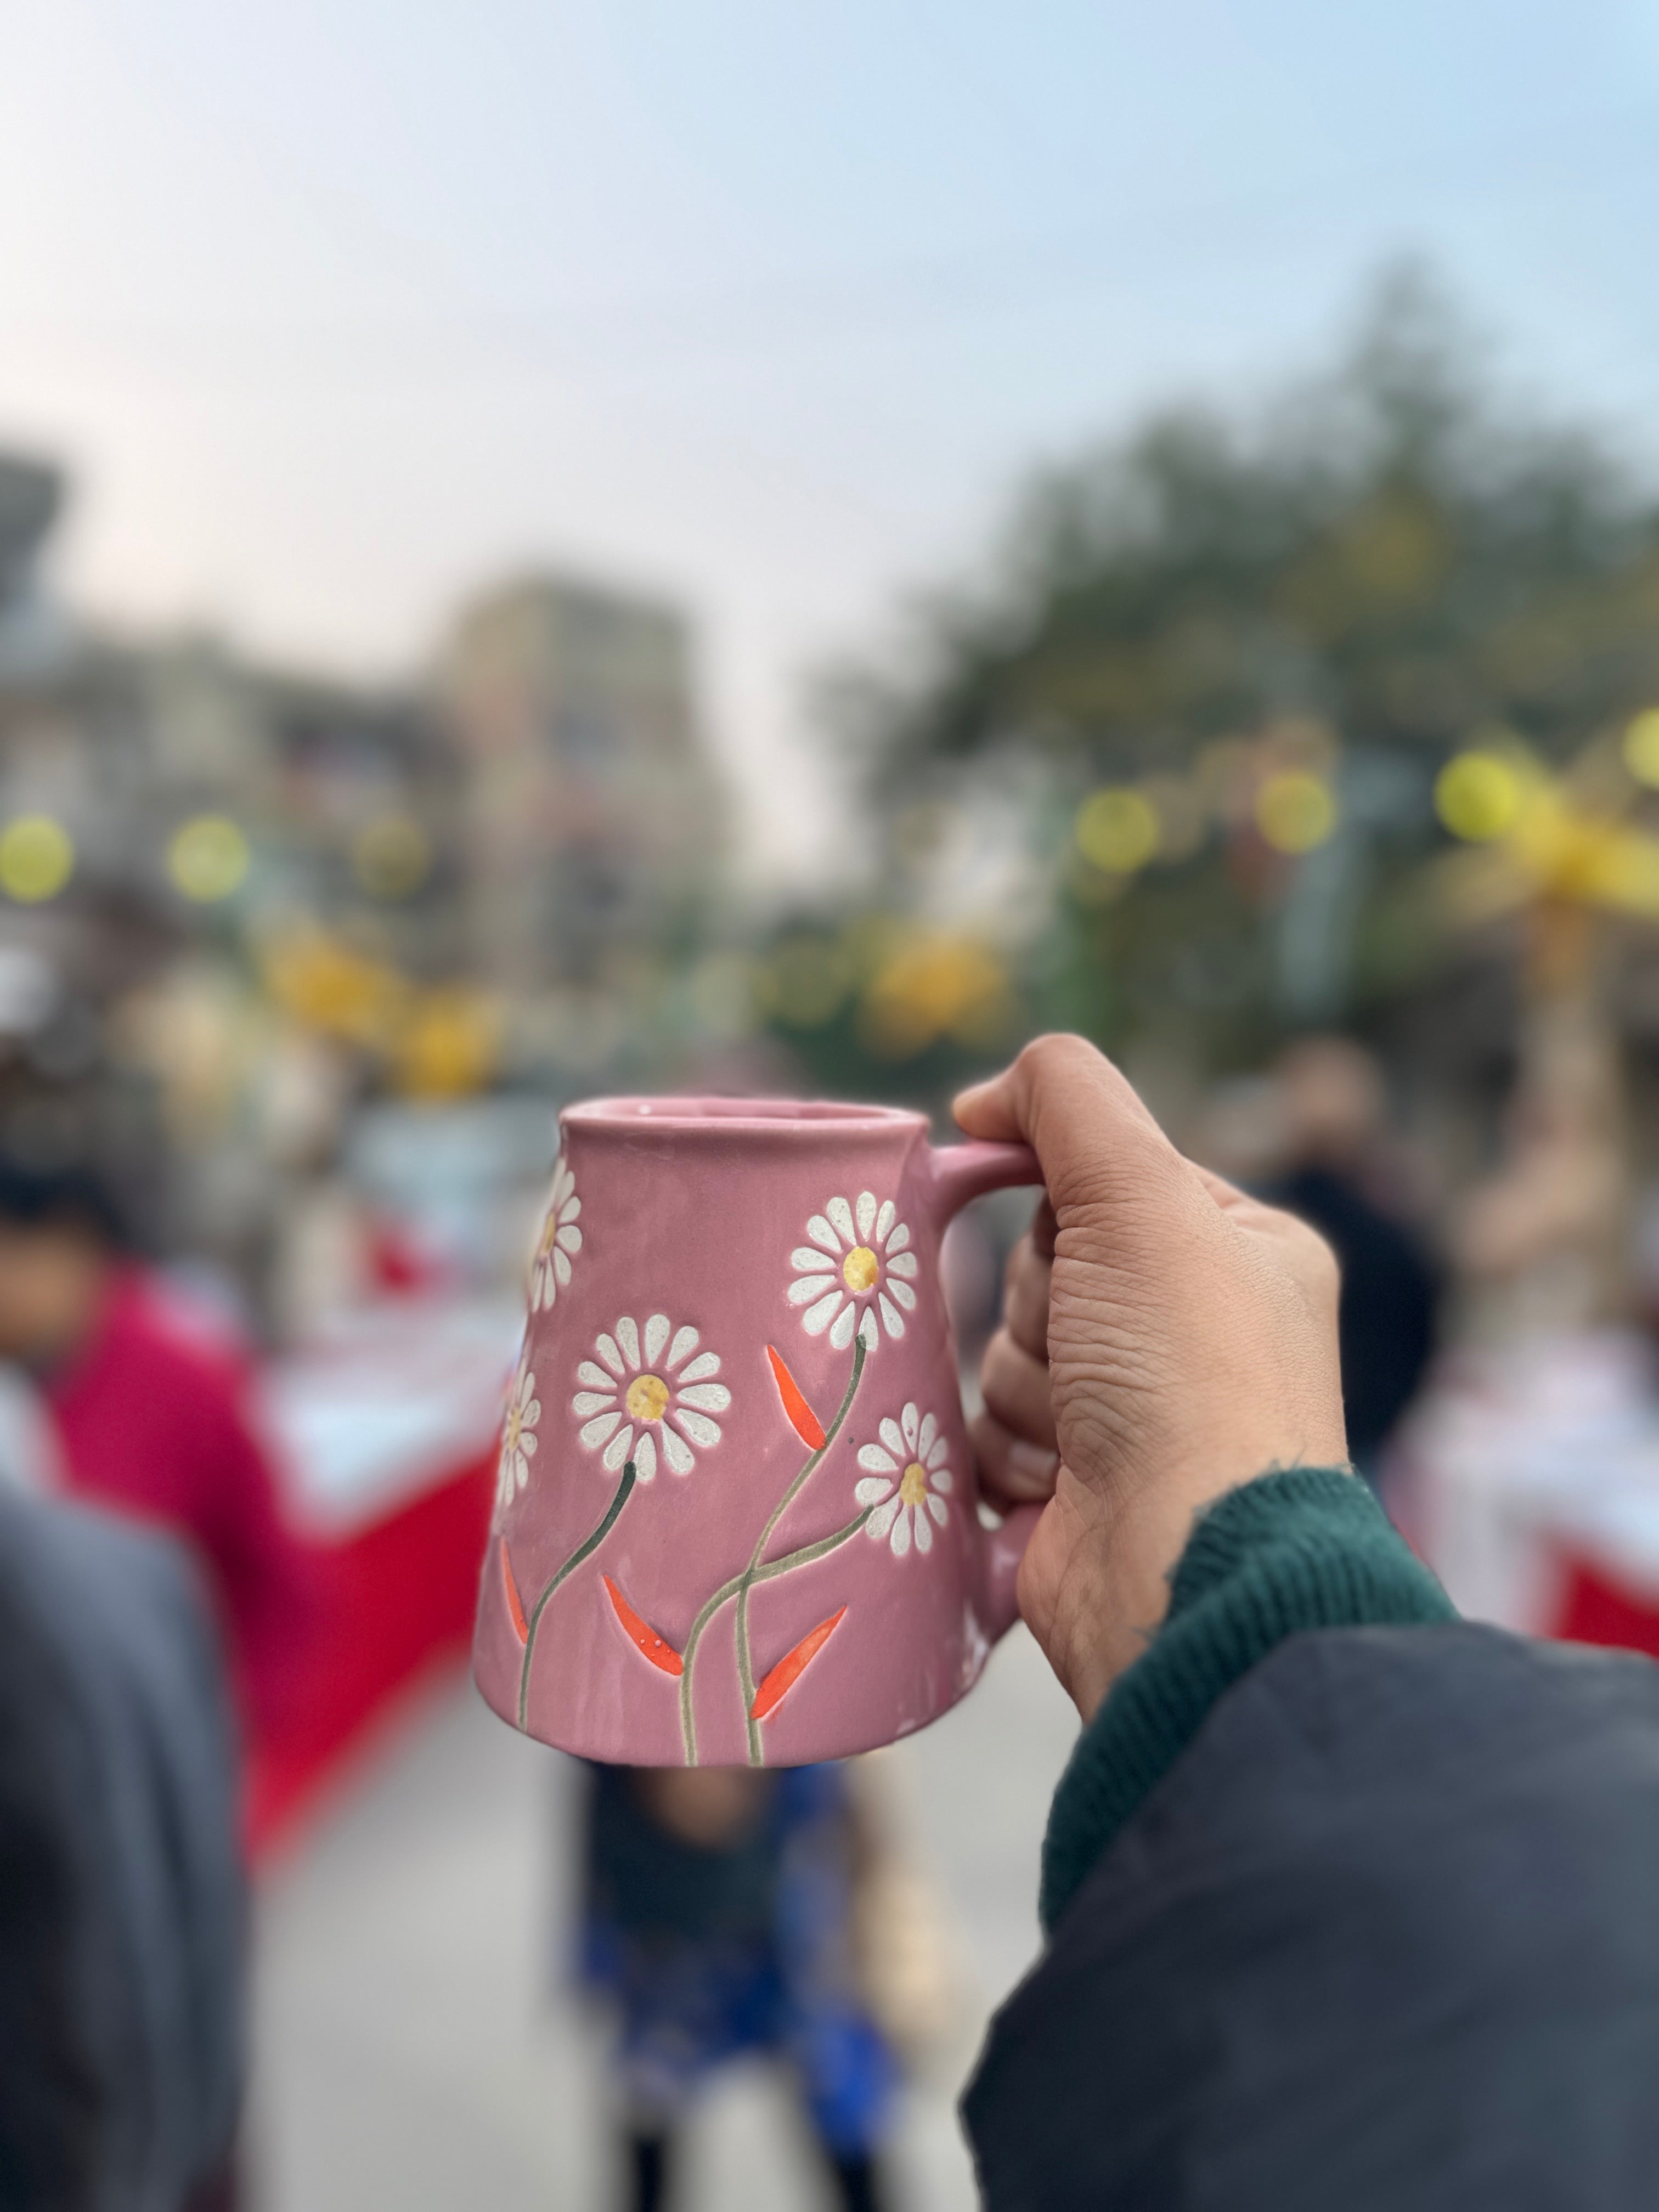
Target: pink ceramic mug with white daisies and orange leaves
(738, 1510)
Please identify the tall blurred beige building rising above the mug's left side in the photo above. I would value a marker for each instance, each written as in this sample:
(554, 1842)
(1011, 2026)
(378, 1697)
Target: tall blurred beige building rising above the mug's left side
(592, 815)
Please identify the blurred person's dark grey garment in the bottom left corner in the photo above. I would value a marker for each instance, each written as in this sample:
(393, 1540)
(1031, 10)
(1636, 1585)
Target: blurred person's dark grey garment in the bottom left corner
(121, 1890)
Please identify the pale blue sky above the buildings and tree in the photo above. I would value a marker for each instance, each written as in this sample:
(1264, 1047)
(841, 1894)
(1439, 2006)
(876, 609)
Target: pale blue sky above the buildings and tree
(344, 309)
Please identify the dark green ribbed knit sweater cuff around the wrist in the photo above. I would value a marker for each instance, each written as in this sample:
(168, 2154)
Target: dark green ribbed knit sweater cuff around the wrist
(1300, 1550)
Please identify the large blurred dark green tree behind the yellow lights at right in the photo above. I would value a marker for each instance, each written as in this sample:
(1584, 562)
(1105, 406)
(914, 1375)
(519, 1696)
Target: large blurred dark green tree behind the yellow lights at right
(1211, 682)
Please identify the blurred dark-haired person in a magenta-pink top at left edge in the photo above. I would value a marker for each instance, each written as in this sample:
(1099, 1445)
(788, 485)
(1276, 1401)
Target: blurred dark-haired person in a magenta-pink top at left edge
(149, 1415)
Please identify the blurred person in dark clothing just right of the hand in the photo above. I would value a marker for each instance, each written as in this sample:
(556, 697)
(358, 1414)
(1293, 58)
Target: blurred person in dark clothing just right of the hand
(1333, 1112)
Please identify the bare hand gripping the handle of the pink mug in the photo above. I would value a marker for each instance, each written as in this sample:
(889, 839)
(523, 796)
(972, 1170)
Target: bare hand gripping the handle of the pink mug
(1165, 1339)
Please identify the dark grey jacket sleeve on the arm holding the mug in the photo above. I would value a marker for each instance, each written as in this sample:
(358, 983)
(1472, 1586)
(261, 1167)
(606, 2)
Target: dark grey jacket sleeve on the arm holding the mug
(1386, 1937)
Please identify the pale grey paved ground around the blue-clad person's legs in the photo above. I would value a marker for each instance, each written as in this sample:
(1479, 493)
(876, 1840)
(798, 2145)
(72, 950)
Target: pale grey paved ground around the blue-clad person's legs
(410, 2056)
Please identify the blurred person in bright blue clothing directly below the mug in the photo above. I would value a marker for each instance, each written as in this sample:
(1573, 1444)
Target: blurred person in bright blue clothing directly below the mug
(720, 1923)
